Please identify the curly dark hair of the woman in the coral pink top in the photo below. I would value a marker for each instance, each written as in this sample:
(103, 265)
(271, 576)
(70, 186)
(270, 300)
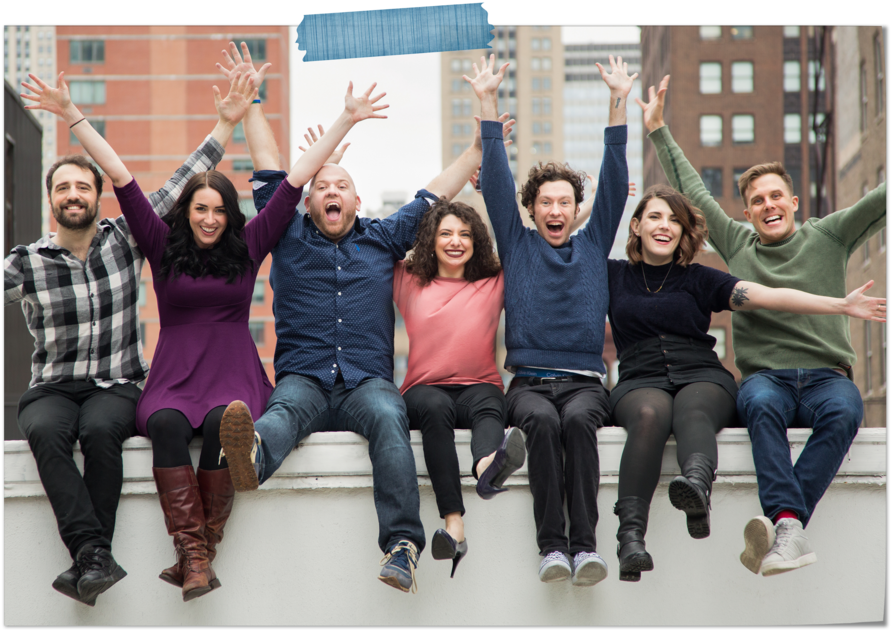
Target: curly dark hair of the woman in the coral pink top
(423, 263)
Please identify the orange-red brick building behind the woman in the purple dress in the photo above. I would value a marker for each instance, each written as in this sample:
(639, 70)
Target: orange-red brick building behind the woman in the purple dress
(148, 90)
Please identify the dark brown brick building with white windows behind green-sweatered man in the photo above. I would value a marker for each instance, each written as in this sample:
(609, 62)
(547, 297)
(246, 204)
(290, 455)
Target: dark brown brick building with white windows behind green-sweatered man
(742, 95)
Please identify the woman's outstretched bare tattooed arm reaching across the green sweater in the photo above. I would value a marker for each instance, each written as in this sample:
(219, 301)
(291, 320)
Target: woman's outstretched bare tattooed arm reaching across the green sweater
(750, 296)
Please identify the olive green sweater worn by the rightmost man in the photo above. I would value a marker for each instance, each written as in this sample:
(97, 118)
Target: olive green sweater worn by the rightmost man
(813, 259)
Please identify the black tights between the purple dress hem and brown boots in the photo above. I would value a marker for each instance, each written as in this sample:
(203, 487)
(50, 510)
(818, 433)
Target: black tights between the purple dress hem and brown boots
(171, 433)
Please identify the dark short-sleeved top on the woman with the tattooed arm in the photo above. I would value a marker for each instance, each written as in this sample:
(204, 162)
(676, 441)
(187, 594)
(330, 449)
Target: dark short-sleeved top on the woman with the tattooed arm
(683, 306)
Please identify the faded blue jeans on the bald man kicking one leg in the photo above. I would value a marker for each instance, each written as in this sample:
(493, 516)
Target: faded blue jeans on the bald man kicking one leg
(374, 409)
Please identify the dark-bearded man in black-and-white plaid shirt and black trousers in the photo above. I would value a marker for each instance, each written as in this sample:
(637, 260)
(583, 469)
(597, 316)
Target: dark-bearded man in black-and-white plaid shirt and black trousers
(79, 290)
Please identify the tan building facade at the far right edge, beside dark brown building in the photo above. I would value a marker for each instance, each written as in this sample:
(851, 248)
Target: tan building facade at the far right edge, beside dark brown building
(861, 142)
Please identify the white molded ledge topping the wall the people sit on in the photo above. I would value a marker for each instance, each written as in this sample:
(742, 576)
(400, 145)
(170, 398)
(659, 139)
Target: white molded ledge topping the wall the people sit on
(340, 460)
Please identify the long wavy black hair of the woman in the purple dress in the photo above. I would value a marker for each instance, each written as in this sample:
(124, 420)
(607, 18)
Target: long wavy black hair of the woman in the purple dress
(228, 258)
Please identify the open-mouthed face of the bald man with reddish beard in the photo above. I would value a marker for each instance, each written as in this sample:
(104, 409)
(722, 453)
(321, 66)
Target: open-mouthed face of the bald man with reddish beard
(333, 203)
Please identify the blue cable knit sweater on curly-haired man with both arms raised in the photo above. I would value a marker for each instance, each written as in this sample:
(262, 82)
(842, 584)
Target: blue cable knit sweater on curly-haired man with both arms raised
(555, 298)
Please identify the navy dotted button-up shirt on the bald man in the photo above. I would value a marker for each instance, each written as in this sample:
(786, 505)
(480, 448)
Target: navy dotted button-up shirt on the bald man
(333, 302)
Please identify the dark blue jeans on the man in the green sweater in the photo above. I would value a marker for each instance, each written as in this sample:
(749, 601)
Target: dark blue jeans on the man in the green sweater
(771, 401)
